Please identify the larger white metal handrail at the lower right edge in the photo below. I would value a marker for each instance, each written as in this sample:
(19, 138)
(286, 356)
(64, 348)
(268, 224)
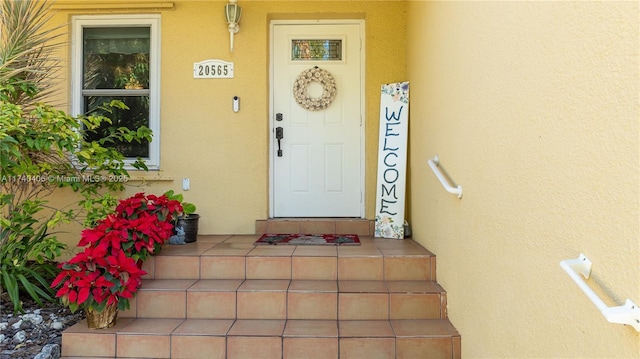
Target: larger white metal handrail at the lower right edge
(628, 313)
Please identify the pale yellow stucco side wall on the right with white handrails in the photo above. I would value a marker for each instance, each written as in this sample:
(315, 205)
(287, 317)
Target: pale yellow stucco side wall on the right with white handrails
(533, 108)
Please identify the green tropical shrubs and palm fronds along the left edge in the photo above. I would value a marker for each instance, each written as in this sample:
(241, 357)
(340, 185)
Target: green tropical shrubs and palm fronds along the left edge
(42, 150)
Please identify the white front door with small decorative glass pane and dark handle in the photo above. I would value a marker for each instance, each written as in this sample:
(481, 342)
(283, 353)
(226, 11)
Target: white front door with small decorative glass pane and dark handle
(317, 165)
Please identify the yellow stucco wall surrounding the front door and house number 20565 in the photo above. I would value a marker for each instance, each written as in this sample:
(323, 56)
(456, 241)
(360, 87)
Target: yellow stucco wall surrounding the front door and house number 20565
(225, 154)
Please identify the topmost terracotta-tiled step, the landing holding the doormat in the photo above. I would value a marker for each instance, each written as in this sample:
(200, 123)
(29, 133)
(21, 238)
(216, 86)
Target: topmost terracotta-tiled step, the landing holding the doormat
(235, 257)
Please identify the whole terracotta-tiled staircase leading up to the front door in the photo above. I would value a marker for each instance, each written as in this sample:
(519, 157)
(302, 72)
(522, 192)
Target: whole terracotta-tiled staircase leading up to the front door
(223, 297)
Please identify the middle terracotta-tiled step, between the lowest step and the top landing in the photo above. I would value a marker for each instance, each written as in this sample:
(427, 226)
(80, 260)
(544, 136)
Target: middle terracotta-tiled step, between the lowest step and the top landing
(285, 299)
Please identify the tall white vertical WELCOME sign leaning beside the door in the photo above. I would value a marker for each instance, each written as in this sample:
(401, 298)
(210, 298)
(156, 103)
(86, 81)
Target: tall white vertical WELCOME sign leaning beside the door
(392, 160)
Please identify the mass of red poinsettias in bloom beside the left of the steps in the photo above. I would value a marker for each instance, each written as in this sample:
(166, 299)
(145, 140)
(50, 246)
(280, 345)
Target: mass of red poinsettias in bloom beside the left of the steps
(108, 271)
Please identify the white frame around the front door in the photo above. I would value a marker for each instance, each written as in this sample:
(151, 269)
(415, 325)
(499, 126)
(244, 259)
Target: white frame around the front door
(362, 102)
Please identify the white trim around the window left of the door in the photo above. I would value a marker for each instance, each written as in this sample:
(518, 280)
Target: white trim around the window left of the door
(153, 21)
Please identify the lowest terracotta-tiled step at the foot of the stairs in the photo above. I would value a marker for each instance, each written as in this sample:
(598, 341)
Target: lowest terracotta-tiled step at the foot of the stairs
(264, 339)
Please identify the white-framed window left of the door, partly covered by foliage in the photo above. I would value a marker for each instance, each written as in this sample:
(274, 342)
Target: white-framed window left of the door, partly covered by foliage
(116, 57)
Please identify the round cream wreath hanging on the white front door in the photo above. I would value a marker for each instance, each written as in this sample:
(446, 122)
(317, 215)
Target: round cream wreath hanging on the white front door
(301, 89)
